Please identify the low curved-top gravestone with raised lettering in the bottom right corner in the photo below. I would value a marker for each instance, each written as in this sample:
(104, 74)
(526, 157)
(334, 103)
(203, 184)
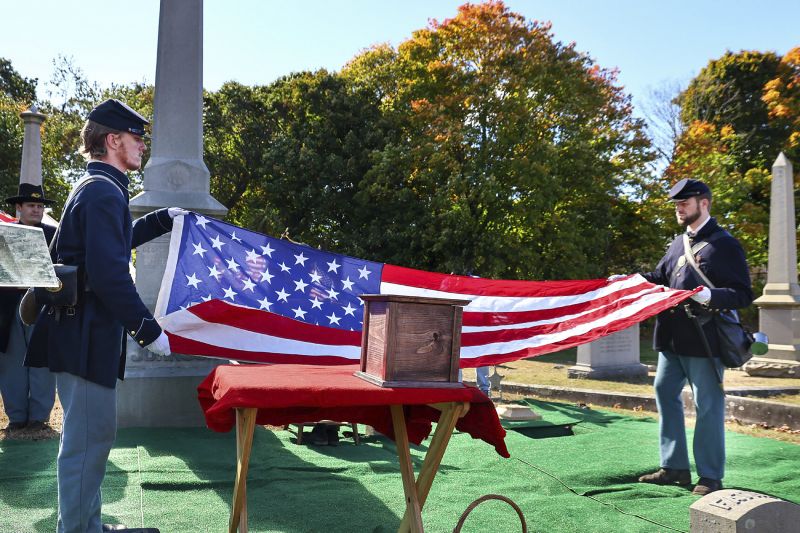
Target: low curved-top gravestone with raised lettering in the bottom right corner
(741, 511)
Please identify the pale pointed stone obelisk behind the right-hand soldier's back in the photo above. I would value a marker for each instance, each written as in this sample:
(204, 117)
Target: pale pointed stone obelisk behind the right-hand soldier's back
(779, 306)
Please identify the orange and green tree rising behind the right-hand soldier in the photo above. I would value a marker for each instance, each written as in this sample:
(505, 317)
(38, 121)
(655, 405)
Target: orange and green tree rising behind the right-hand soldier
(737, 117)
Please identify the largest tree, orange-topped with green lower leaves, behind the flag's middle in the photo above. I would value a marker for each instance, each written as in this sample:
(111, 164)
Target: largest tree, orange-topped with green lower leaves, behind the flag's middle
(513, 155)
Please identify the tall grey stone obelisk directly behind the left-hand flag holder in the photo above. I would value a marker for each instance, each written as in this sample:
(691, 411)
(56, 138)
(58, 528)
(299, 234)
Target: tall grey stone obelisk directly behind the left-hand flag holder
(162, 391)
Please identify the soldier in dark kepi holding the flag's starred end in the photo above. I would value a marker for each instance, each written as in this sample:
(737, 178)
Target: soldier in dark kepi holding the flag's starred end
(82, 345)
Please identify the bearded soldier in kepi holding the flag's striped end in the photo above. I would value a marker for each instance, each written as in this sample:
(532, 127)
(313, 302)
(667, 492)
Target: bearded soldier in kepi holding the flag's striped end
(683, 357)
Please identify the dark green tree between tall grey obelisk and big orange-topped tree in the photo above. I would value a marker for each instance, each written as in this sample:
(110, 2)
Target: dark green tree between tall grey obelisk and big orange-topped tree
(290, 156)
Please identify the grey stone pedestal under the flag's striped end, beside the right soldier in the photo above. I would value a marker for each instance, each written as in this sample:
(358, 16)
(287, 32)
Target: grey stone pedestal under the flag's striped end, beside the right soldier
(613, 357)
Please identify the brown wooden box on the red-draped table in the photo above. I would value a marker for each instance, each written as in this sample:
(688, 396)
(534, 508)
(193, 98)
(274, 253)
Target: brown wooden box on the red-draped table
(410, 341)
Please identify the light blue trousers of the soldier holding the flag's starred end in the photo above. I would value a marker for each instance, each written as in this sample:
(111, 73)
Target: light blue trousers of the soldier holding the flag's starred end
(90, 427)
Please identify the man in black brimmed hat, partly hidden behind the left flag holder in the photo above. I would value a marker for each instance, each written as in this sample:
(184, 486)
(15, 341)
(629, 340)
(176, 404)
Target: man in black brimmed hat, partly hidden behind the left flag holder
(28, 393)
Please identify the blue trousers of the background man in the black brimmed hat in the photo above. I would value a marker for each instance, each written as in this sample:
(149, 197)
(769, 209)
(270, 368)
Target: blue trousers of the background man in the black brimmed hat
(28, 393)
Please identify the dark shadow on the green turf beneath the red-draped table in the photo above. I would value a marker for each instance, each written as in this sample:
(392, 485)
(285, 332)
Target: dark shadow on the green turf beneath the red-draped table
(283, 490)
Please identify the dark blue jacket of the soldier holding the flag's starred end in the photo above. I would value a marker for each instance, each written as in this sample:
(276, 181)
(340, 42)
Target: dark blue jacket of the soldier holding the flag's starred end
(97, 234)
